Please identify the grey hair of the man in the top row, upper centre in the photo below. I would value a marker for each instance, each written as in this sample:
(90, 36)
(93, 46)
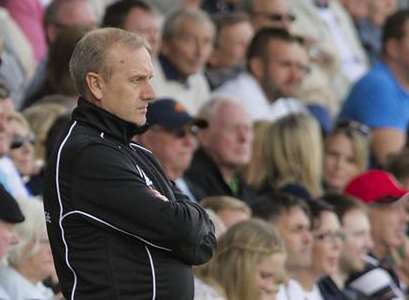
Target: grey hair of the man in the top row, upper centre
(174, 22)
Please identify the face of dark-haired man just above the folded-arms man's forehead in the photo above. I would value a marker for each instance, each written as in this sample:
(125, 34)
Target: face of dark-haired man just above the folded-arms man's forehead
(144, 23)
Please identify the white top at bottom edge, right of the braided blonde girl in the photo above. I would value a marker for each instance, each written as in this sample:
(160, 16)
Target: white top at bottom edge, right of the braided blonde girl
(294, 291)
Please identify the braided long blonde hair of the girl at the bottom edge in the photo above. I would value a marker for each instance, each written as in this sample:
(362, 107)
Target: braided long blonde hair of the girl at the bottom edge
(239, 251)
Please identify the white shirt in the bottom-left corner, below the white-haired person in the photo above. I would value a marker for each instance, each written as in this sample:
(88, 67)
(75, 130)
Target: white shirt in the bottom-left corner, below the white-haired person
(20, 288)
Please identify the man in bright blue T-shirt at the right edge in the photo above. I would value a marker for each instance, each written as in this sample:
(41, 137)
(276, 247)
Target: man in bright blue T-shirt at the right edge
(380, 99)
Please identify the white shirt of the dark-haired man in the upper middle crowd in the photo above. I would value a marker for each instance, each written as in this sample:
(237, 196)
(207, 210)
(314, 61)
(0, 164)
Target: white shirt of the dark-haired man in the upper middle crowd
(247, 91)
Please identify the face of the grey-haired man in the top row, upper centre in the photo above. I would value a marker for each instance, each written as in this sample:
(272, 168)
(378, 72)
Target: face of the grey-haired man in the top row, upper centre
(190, 48)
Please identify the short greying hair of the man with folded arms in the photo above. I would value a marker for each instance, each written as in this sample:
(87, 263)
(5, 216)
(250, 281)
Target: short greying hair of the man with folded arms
(91, 52)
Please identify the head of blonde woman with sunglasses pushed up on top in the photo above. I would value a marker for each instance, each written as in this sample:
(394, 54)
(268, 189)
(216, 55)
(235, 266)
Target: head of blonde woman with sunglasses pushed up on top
(346, 154)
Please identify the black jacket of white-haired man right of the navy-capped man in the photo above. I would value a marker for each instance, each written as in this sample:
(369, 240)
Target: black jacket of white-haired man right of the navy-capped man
(208, 180)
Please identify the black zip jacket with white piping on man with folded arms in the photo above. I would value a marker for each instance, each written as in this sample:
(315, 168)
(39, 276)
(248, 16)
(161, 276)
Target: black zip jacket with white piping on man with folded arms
(111, 236)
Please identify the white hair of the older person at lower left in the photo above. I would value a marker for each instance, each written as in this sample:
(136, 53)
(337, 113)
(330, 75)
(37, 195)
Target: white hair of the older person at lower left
(29, 232)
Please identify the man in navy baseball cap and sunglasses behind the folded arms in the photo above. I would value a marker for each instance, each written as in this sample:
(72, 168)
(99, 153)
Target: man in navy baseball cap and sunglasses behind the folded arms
(172, 139)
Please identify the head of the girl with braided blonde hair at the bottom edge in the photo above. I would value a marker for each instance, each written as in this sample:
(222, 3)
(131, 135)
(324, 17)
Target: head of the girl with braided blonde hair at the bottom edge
(248, 263)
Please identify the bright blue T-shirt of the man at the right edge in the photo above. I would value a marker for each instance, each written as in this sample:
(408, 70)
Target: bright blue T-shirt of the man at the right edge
(378, 100)
